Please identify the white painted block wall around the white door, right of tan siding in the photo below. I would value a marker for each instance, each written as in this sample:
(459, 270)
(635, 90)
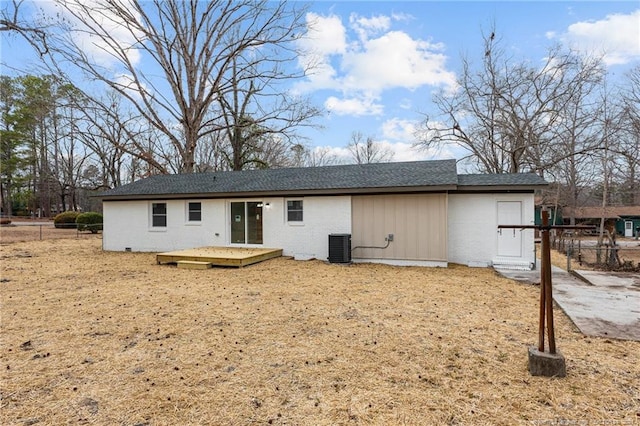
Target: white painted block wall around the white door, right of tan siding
(473, 228)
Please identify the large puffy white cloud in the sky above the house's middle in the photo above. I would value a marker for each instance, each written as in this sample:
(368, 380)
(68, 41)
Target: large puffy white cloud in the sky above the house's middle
(374, 59)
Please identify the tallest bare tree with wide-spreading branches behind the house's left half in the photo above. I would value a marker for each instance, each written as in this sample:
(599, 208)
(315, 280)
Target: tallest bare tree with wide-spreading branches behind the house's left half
(189, 50)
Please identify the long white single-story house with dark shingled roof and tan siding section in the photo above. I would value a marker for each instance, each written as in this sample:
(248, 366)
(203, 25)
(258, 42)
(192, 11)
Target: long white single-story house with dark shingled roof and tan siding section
(408, 213)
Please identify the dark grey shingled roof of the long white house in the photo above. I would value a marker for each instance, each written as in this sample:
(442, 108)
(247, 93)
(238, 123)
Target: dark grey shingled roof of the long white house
(344, 179)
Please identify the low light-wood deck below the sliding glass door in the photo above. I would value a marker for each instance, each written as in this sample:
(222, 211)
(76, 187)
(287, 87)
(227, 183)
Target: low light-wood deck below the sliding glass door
(220, 256)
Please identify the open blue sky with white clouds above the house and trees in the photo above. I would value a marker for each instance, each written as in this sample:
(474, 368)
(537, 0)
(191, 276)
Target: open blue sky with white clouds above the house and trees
(382, 61)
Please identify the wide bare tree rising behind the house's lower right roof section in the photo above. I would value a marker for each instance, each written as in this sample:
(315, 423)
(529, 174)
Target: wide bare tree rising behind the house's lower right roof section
(505, 113)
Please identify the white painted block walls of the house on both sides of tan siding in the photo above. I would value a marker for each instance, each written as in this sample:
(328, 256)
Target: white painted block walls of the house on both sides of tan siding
(472, 226)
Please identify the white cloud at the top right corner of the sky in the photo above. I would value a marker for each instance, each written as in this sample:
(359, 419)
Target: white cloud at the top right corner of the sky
(617, 37)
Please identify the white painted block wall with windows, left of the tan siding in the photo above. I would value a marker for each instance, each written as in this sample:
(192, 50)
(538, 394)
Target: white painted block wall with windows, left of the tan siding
(127, 225)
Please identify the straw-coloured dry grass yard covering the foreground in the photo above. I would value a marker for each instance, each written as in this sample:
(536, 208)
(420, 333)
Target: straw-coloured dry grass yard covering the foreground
(92, 337)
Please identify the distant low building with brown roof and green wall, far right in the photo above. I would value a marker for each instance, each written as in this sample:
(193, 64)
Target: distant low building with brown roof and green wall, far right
(624, 220)
